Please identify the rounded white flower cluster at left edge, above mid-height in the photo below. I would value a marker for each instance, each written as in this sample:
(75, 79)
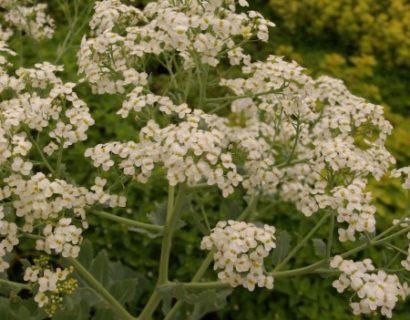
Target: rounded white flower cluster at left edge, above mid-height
(42, 102)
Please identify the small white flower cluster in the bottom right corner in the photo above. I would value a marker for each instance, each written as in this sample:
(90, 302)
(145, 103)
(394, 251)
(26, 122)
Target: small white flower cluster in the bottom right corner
(375, 290)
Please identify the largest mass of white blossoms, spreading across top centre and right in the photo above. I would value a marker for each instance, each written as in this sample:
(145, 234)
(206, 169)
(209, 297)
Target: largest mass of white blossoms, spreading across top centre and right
(309, 140)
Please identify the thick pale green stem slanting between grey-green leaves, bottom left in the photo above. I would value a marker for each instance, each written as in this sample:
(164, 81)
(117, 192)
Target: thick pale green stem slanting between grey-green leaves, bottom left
(100, 290)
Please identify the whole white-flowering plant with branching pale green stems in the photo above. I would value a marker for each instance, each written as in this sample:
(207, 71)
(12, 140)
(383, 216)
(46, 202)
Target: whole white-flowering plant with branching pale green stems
(207, 116)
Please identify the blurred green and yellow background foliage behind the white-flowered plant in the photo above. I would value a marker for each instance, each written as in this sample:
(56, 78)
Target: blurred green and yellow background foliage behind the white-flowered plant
(366, 43)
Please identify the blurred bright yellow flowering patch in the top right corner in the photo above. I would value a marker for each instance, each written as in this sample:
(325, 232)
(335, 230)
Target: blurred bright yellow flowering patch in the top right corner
(379, 28)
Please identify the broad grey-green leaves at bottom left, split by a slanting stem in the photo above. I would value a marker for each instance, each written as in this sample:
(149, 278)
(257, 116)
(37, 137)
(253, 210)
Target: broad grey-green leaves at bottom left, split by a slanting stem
(122, 282)
